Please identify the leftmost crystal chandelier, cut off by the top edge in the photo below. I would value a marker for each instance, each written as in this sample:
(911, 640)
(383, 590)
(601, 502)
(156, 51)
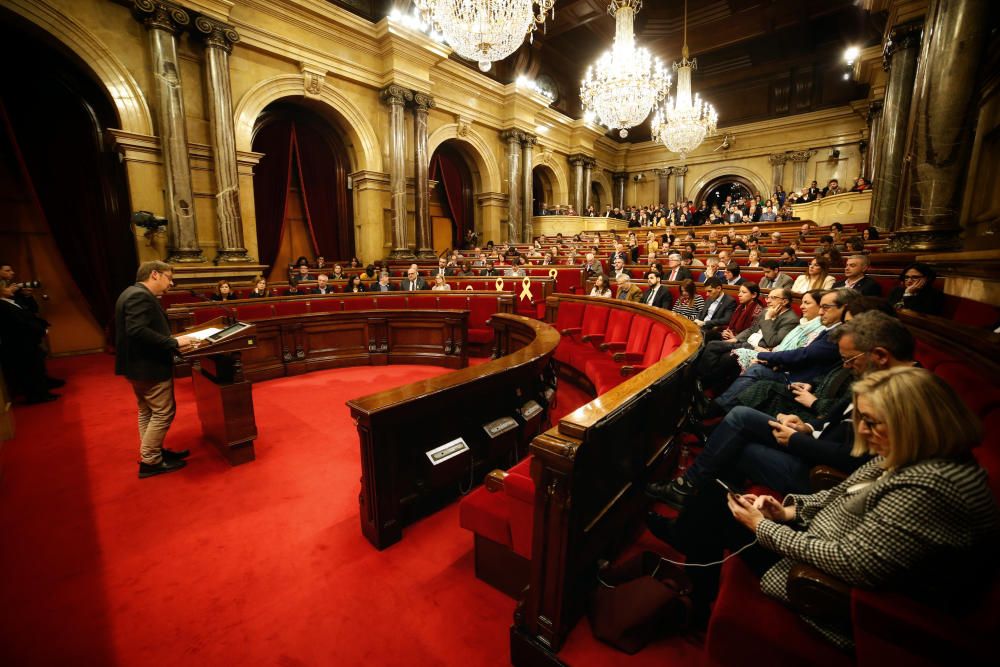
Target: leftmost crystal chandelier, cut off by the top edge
(485, 30)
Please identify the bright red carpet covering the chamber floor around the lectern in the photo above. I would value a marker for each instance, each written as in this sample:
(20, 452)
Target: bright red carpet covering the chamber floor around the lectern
(263, 564)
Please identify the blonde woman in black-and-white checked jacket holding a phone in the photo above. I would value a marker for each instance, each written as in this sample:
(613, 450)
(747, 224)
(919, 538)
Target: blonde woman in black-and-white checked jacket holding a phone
(920, 502)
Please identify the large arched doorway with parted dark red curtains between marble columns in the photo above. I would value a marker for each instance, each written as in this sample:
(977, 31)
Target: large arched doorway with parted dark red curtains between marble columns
(303, 205)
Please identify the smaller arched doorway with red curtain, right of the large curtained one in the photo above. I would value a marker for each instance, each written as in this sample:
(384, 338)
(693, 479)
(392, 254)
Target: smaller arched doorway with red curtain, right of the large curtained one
(451, 199)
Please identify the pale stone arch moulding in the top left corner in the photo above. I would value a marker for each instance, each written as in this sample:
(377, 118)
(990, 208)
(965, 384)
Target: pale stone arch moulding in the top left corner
(119, 84)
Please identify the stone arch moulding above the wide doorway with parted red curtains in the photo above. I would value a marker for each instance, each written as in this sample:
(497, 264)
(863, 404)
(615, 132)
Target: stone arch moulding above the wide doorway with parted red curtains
(358, 131)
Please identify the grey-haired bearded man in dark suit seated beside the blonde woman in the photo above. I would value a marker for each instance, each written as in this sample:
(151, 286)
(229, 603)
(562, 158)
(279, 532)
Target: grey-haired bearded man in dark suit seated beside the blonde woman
(779, 451)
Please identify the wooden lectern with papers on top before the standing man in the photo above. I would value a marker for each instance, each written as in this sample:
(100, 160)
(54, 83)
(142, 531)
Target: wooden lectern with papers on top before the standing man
(225, 402)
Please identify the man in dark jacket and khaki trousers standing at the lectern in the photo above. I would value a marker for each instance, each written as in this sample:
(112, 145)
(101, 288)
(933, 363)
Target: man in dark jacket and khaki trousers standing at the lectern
(144, 354)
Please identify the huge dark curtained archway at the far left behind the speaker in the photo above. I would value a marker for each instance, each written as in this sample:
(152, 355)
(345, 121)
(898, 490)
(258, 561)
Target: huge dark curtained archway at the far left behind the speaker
(67, 219)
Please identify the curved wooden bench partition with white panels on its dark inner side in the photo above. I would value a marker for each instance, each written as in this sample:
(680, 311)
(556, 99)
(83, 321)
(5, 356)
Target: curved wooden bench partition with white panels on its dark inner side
(399, 426)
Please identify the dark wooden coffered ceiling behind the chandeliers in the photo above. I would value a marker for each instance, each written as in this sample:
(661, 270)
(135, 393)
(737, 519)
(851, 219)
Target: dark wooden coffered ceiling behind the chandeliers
(756, 58)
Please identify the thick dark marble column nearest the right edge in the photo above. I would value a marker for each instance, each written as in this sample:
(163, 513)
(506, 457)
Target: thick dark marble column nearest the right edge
(944, 113)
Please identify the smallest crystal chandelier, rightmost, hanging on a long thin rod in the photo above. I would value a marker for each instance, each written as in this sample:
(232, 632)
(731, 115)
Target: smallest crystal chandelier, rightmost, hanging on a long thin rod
(682, 124)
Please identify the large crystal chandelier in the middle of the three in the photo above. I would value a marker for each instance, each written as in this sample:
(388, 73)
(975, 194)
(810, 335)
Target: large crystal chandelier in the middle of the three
(622, 87)
